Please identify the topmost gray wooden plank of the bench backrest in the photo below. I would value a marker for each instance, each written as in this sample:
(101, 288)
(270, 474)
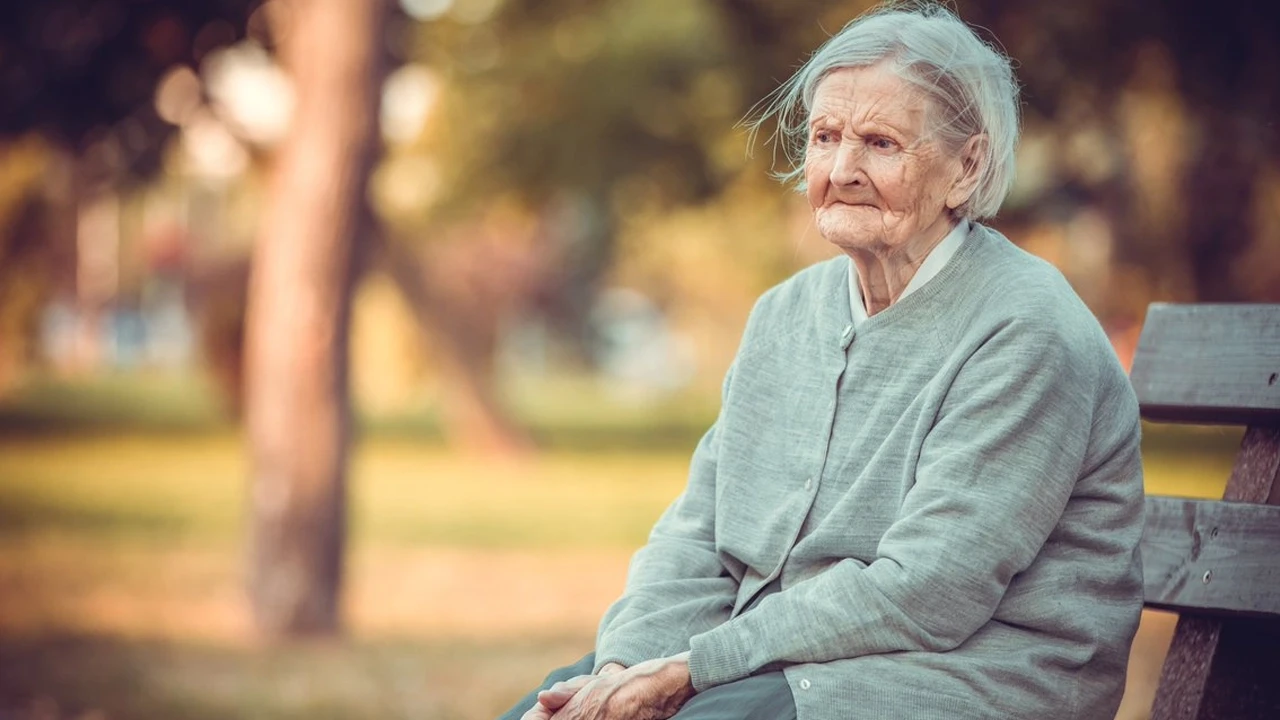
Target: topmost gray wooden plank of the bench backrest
(1210, 364)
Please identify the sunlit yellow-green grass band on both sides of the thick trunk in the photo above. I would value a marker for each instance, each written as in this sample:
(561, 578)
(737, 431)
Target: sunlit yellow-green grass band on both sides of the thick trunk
(193, 490)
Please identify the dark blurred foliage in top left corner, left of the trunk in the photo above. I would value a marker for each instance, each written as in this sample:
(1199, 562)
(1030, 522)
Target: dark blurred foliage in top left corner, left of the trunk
(81, 75)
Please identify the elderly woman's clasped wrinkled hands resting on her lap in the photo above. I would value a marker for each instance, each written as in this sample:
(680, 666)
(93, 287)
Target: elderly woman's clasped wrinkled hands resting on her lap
(653, 690)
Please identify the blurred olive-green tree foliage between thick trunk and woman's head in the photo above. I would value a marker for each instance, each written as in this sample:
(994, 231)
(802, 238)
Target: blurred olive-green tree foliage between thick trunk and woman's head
(575, 108)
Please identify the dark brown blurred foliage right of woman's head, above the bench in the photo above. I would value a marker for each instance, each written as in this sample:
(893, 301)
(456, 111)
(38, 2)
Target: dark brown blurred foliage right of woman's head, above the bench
(1162, 116)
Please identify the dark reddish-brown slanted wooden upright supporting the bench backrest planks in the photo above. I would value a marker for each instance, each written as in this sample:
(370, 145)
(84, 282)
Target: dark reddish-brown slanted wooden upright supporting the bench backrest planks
(1223, 668)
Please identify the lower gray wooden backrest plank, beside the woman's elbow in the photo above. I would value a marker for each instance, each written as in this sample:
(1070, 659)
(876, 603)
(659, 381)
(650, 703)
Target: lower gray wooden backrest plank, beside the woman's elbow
(1206, 557)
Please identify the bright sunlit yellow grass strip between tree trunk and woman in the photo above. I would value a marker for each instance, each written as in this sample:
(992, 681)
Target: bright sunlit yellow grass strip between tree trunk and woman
(406, 496)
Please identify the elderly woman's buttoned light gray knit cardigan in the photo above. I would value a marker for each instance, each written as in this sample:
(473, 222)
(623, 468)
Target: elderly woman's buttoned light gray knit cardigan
(935, 517)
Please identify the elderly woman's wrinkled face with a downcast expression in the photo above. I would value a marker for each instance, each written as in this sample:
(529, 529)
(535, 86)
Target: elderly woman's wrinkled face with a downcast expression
(876, 179)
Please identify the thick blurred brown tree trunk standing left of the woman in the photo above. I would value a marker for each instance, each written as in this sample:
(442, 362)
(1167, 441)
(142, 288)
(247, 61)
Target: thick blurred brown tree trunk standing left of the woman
(299, 315)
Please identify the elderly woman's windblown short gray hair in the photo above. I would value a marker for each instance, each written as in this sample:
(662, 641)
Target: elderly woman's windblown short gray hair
(971, 84)
